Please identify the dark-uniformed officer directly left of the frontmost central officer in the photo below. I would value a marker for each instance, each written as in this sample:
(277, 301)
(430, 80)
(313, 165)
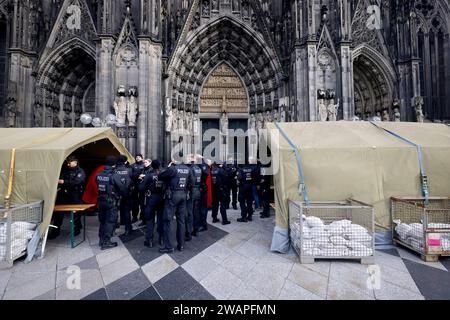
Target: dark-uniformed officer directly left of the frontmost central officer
(153, 191)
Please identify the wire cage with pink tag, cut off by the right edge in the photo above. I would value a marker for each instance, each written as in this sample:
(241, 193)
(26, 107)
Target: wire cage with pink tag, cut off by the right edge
(422, 226)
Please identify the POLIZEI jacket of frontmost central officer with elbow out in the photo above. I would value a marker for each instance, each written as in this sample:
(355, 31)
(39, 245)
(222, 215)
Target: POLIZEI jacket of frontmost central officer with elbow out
(178, 177)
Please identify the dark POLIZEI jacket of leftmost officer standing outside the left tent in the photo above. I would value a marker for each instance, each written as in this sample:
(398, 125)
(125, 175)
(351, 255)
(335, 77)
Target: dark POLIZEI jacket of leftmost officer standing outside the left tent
(109, 185)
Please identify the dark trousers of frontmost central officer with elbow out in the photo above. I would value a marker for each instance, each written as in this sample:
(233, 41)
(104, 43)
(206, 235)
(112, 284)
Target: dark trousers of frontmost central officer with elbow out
(175, 206)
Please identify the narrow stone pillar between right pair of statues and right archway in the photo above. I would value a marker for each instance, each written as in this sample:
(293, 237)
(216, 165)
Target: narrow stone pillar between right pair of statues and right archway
(347, 88)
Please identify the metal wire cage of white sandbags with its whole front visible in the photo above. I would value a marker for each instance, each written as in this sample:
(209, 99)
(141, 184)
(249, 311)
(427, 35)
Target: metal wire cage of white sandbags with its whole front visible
(332, 230)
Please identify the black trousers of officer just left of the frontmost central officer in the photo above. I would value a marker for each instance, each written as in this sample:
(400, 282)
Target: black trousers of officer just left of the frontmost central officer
(154, 209)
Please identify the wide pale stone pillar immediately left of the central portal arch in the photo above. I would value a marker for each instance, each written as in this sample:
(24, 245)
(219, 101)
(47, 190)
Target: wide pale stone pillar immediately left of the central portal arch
(150, 129)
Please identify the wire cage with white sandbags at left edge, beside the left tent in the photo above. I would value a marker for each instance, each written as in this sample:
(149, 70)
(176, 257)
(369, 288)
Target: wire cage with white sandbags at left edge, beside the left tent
(17, 227)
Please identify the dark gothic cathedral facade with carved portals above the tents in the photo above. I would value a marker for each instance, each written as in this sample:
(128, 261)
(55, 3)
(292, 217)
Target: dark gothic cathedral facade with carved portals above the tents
(224, 64)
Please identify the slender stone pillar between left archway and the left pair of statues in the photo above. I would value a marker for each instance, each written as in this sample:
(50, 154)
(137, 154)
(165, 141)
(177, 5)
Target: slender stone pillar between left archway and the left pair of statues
(103, 86)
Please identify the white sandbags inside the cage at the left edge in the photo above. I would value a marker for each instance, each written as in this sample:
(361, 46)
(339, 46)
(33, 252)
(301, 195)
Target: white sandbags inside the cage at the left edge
(21, 233)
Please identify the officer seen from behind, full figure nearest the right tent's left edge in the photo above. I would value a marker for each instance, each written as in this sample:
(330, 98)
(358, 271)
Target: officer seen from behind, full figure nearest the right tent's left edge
(247, 177)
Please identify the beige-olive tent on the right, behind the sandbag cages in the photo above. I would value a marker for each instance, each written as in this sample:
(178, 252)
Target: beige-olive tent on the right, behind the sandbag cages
(359, 160)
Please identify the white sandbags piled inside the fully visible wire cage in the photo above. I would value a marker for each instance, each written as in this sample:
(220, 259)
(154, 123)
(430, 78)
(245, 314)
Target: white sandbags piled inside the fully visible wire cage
(339, 239)
